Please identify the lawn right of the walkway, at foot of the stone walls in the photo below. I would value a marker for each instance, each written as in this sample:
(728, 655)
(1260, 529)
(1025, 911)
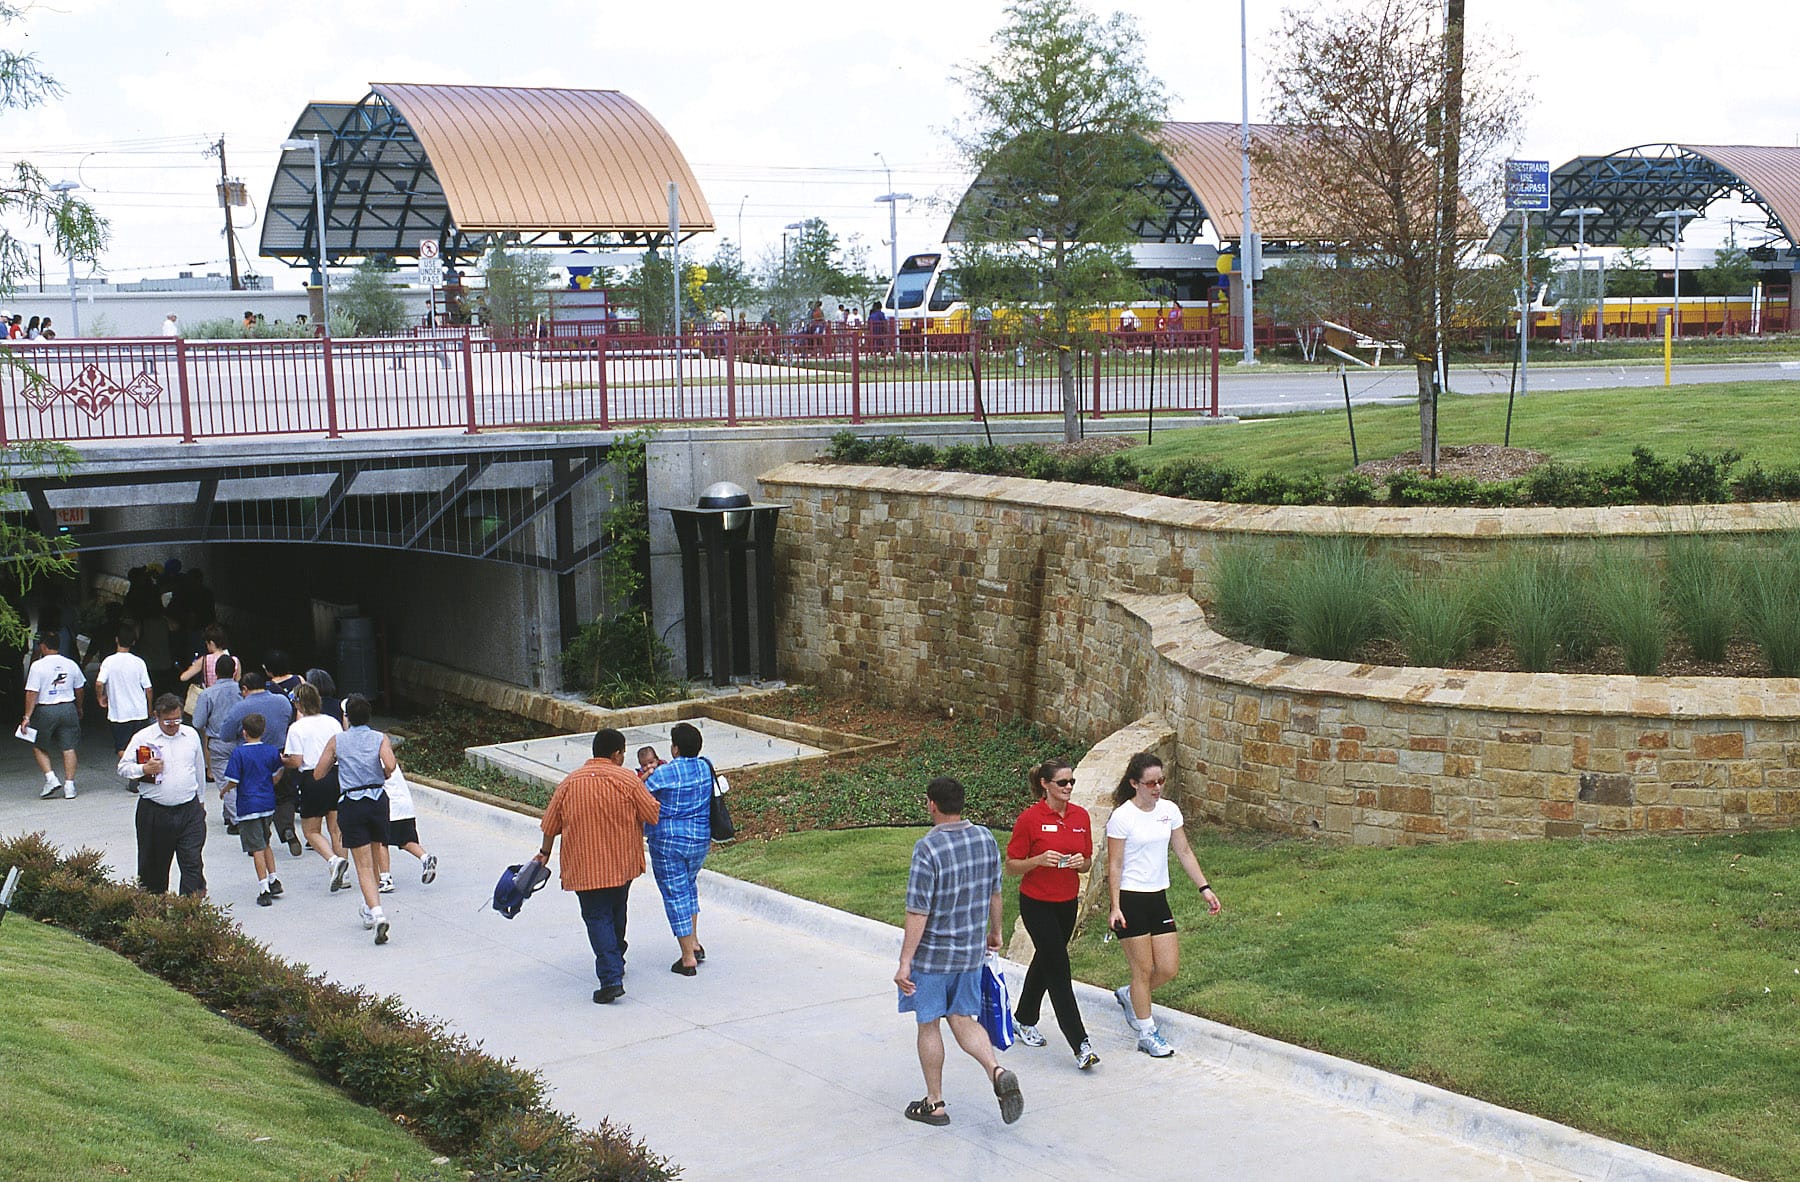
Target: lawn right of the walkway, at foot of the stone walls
(1644, 990)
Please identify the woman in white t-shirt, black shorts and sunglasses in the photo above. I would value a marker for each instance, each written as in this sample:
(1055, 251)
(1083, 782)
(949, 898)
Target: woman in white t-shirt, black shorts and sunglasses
(1140, 832)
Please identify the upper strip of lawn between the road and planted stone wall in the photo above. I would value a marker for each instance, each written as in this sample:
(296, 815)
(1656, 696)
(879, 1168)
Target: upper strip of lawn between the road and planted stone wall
(1570, 427)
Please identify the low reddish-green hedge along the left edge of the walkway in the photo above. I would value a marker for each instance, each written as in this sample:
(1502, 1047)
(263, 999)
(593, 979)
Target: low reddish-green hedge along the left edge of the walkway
(456, 1098)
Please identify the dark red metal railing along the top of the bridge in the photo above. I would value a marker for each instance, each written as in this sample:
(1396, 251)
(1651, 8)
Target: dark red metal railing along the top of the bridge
(213, 390)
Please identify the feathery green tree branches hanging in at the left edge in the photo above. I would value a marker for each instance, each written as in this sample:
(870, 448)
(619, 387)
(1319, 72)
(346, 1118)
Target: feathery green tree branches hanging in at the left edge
(28, 201)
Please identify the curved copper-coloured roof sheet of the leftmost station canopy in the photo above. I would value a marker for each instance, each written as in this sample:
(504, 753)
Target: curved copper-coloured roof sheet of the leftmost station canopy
(546, 159)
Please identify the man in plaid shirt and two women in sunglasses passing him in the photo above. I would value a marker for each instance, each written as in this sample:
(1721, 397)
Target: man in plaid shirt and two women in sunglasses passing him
(955, 909)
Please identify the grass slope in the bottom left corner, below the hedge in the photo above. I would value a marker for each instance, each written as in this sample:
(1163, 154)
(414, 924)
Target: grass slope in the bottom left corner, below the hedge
(111, 1073)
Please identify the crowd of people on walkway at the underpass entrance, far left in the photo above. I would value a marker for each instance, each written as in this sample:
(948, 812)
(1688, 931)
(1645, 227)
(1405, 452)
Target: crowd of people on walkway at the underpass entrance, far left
(280, 749)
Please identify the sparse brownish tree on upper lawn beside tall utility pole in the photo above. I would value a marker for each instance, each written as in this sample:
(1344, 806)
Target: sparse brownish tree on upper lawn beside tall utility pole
(1378, 127)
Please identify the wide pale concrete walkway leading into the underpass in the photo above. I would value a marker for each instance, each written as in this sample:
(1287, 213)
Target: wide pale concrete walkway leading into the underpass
(786, 1057)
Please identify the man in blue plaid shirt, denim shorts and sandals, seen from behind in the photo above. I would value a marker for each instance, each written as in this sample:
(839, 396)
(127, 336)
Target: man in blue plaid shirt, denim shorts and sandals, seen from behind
(953, 915)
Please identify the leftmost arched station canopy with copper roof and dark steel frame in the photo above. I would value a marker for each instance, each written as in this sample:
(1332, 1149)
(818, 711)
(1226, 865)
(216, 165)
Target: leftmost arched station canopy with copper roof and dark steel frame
(458, 165)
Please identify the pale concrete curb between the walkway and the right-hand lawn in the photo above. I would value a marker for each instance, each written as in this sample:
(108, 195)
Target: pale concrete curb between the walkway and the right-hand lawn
(1387, 1095)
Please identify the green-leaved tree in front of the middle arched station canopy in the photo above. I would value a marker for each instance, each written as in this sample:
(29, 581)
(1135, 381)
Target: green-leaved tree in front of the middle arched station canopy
(1061, 143)
